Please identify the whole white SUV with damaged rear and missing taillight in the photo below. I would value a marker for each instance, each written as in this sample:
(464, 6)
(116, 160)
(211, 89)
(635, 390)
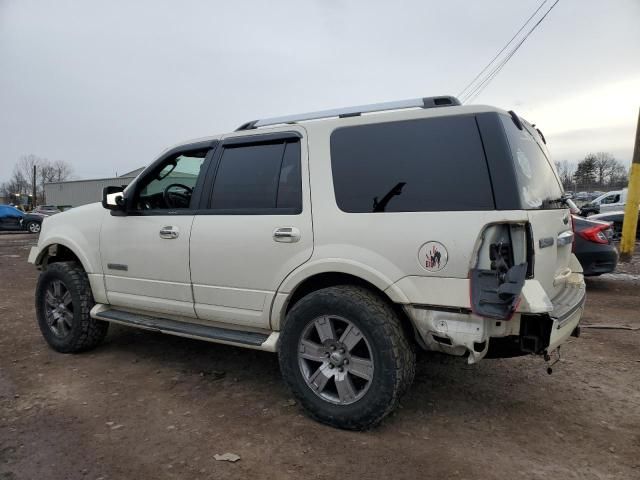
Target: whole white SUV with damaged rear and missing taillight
(341, 240)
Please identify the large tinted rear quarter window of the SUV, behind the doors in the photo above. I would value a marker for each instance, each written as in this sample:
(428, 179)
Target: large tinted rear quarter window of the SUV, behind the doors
(434, 164)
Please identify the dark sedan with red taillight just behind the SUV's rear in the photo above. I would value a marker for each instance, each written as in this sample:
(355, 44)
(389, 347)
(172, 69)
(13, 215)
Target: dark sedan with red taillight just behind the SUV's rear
(593, 246)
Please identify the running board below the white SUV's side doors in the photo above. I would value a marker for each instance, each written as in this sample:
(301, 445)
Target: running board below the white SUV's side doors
(261, 341)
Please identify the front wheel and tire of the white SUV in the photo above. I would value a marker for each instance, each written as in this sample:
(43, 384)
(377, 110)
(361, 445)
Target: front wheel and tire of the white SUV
(63, 303)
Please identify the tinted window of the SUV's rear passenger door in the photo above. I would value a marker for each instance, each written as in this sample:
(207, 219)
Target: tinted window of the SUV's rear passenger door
(258, 177)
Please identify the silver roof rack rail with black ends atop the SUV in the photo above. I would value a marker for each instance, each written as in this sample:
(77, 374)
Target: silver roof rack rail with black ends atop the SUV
(426, 102)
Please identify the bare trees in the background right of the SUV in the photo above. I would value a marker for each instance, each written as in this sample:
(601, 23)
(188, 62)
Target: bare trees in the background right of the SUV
(597, 171)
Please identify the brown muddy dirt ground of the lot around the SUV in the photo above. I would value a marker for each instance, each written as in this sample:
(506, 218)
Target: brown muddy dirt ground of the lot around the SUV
(145, 405)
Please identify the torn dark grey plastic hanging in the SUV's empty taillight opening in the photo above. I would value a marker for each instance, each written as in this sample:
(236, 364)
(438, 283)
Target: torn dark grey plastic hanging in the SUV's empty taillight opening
(496, 295)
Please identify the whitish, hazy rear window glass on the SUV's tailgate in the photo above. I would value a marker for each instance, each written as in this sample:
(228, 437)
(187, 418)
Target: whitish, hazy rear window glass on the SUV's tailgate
(538, 185)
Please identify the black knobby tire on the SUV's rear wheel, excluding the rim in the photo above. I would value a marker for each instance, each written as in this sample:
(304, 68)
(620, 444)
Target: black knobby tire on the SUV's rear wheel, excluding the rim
(393, 355)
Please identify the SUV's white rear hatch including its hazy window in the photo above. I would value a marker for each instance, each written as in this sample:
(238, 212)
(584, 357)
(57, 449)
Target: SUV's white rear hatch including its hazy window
(541, 194)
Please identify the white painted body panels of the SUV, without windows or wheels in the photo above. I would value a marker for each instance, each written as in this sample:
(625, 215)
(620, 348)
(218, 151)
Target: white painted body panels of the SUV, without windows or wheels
(228, 270)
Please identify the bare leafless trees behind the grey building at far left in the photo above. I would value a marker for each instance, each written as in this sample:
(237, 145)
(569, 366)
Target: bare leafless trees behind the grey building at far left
(21, 181)
